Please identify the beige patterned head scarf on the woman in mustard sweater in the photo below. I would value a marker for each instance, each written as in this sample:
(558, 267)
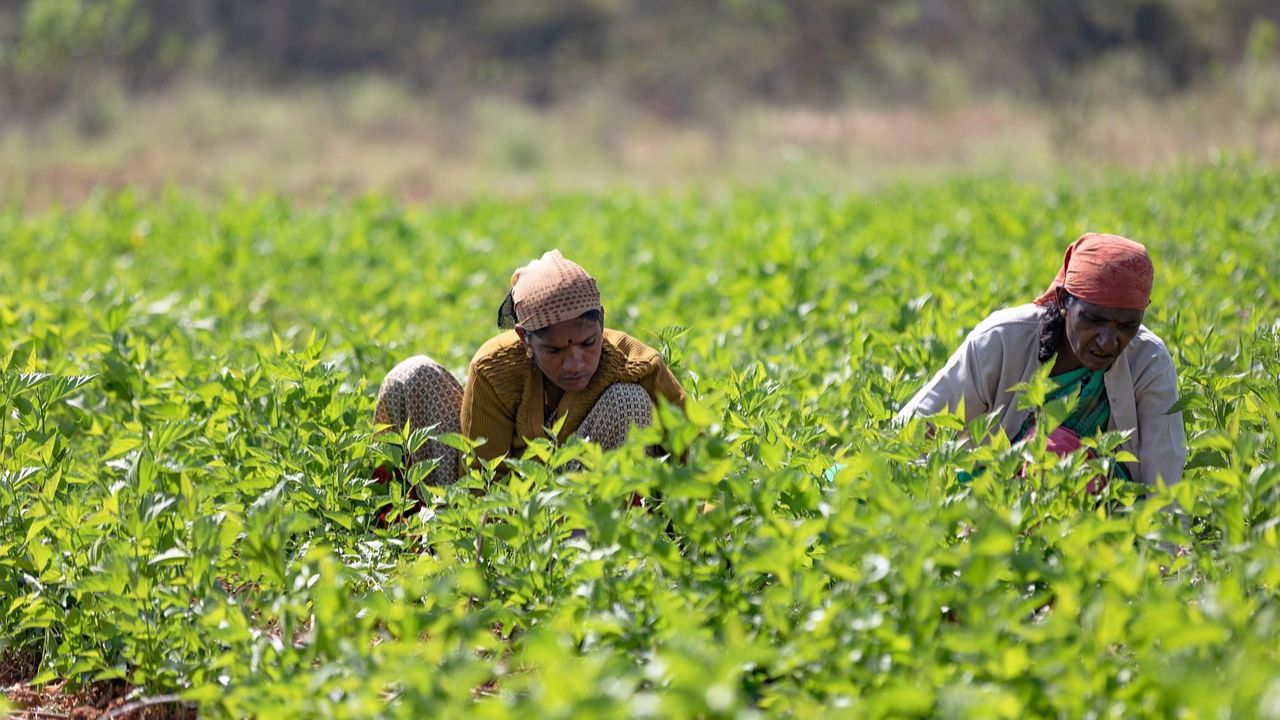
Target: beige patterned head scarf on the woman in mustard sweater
(552, 290)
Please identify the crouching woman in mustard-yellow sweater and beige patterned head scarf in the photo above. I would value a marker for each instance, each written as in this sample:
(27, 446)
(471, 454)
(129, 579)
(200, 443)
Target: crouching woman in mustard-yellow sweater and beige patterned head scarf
(556, 359)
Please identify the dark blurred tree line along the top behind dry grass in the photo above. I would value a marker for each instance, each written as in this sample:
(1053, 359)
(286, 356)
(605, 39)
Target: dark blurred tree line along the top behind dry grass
(669, 56)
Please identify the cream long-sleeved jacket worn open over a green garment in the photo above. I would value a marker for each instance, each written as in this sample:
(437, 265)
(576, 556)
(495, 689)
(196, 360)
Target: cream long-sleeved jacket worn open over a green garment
(1002, 352)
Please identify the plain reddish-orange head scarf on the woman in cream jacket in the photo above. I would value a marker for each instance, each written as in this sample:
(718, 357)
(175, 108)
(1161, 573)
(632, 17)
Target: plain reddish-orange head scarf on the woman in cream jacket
(1105, 270)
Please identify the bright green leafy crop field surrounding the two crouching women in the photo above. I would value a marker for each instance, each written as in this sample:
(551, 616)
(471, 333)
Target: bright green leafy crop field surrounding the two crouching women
(186, 449)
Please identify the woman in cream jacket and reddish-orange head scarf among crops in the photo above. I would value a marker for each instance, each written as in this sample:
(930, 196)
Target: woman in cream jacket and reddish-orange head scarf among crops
(1089, 325)
